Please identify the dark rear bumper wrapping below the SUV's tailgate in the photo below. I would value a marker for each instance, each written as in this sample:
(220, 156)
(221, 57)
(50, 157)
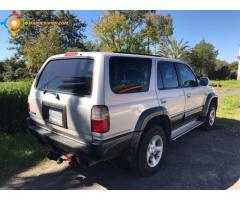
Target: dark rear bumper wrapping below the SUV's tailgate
(94, 151)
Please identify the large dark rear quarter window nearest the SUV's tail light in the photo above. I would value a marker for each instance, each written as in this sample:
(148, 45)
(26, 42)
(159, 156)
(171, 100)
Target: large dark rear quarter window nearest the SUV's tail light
(129, 75)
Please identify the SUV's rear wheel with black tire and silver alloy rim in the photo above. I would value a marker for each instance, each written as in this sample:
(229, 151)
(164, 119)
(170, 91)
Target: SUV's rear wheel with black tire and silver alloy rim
(146, 154)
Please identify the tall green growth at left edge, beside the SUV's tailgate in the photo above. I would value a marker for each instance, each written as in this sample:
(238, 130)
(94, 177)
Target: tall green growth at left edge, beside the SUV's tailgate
(13, 105)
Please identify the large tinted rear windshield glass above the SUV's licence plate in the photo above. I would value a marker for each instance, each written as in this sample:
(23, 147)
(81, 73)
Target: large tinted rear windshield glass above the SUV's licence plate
(72, 76)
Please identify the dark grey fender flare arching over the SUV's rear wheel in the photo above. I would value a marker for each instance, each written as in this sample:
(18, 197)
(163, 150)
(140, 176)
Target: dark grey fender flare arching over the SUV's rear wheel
(142, 121)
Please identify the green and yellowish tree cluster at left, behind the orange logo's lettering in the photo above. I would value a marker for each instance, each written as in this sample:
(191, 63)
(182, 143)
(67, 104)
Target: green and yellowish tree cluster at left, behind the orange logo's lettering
(31, 41)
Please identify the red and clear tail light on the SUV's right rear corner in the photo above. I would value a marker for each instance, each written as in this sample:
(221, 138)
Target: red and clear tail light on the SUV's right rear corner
(100, 119)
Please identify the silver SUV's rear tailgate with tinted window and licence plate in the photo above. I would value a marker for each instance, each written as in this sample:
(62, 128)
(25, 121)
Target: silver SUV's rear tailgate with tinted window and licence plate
(61, 99)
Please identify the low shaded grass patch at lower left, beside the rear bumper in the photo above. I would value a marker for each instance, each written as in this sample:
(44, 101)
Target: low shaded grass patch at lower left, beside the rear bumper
(18, 152)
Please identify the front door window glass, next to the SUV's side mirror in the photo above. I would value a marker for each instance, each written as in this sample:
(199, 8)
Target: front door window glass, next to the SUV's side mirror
(187, 77)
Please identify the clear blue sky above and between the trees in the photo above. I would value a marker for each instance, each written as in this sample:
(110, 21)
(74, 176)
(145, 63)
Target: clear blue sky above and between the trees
(221, 28)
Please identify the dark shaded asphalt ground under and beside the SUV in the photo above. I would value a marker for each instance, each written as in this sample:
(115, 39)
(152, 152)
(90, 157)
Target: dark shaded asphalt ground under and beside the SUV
(200, 160)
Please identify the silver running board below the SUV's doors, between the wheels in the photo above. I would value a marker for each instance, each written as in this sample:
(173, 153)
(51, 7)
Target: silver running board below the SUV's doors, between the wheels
(185, 129)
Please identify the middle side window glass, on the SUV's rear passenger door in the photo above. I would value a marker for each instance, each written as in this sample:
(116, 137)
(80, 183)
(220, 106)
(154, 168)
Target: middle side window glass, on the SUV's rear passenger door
(169, 75)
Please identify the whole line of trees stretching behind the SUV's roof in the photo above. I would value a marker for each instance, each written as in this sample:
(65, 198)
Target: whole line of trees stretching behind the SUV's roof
(146, 32)
